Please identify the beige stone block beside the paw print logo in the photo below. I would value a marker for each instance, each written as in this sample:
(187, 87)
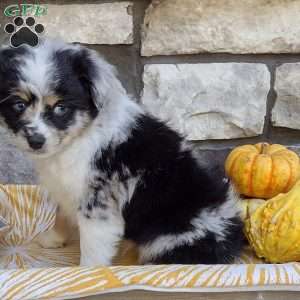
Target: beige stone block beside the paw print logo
(107, 23)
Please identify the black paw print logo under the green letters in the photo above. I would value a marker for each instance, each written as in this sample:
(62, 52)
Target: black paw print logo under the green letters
(24, 32)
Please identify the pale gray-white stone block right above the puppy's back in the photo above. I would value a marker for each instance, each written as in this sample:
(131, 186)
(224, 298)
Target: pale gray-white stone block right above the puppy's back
(208, 101)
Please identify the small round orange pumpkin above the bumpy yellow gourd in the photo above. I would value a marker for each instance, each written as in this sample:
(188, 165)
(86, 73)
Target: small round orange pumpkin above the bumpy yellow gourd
(262, 170)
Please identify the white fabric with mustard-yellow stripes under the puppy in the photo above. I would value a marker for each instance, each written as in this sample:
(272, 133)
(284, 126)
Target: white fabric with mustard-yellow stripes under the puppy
(30, 272)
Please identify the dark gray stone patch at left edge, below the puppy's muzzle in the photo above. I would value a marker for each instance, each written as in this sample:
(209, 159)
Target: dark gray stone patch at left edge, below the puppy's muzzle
(14, 166)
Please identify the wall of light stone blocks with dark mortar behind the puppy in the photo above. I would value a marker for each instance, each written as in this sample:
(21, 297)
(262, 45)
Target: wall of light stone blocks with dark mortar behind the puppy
(223, 72)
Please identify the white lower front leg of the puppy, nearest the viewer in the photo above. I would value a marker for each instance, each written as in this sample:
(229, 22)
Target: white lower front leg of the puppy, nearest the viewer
(99, 238)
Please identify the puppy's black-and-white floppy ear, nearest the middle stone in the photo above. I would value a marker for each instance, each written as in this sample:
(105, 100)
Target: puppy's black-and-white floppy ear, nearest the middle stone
(98, 77)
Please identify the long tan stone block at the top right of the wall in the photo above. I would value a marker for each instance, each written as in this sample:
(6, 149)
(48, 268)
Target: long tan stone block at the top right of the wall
(248, 26)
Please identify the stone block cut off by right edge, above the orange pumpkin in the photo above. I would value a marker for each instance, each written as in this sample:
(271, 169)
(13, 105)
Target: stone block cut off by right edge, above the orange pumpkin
(286, 111)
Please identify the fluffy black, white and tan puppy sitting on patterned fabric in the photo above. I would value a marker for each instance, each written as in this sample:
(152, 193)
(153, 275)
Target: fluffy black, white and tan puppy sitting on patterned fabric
(114, 170)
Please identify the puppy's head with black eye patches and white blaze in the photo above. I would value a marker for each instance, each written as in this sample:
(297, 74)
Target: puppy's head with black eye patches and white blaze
(51, 94)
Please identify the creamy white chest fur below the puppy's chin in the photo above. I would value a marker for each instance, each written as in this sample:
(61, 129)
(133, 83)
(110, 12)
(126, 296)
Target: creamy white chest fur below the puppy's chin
(66, 175)
